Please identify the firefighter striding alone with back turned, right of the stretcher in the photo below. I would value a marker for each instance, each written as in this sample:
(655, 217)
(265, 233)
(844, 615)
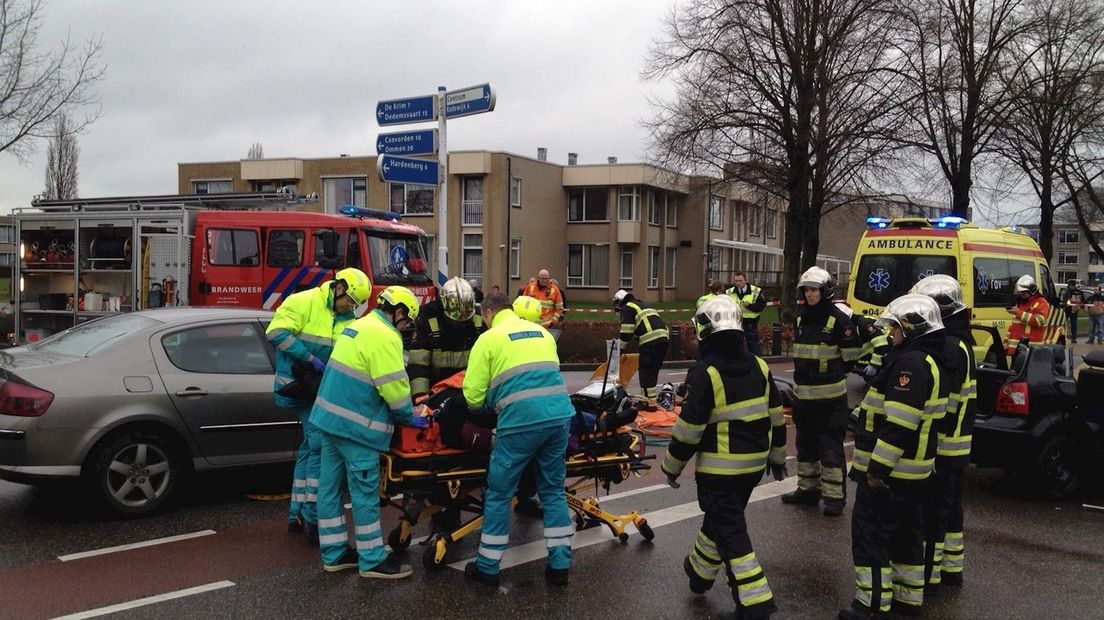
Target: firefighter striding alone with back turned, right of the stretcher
(733, 421)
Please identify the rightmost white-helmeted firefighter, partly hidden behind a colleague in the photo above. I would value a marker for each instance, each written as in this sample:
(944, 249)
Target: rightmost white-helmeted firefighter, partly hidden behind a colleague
(943, 509)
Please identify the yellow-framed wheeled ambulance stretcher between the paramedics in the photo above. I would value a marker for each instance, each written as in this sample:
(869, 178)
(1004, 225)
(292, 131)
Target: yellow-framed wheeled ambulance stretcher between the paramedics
(448, 479)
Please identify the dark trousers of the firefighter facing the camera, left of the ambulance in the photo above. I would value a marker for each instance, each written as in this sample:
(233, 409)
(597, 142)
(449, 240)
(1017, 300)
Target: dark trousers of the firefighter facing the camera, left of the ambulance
(821, 429)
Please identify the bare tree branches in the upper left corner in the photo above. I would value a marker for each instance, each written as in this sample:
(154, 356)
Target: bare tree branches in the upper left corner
(37, 87)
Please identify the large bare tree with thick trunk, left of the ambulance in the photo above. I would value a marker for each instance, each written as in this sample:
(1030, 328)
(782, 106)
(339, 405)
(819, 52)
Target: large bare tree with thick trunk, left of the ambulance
(792, 98)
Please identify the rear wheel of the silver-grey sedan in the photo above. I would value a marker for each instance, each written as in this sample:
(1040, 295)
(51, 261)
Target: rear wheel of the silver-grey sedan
(135, 473)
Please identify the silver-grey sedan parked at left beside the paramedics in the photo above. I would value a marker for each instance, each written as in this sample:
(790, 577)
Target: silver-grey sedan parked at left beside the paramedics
(132, 403)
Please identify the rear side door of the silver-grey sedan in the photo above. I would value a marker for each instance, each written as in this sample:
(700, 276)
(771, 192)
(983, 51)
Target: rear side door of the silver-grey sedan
(220, 378)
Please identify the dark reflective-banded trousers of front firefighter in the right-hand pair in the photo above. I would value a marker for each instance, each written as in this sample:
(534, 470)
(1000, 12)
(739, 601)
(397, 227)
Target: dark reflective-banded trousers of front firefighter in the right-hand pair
(888, 544)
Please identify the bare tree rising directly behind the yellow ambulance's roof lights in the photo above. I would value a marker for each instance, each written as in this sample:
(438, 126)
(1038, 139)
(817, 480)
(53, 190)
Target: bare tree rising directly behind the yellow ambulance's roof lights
(954, 52)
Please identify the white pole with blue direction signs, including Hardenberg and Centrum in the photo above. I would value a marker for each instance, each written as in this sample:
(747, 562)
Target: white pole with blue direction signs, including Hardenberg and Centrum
(392, 169)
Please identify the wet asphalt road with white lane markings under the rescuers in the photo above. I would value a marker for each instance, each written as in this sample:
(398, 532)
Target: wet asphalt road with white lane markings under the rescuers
(1026, 559)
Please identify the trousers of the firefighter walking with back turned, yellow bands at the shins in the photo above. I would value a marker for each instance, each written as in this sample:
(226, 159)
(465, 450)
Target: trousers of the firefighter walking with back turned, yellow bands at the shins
(724, 543)
